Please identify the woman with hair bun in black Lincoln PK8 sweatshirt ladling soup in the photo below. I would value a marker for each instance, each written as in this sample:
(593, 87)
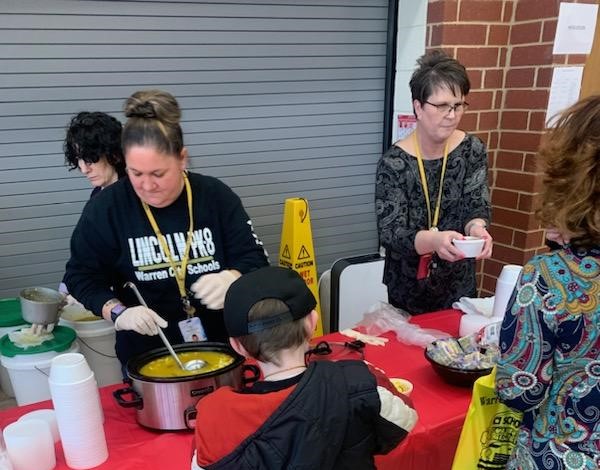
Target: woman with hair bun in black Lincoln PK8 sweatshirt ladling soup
(182, 238)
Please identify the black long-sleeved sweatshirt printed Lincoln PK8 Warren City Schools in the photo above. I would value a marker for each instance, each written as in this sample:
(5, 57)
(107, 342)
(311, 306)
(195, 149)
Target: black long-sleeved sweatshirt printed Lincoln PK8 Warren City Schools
(113, 243)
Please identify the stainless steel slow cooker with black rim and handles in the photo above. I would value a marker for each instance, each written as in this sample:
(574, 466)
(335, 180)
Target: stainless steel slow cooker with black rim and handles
(169, 403)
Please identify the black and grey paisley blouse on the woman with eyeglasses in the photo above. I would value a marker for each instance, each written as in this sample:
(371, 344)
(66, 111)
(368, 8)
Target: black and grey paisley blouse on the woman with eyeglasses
(402, 212)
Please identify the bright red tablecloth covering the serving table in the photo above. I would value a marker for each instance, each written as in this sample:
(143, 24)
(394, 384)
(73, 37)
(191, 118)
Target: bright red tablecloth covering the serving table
(431, 444)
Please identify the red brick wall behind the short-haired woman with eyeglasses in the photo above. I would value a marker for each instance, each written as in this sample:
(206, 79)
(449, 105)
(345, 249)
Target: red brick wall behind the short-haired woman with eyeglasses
(506, 46)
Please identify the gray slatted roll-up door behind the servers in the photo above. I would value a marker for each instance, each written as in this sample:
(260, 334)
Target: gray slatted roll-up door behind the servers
(280, 99)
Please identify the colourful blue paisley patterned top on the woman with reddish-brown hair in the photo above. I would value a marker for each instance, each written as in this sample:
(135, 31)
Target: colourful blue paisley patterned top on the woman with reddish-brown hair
(550, 361)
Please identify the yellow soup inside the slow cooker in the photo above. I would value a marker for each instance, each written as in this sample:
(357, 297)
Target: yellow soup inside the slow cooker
(166, 366)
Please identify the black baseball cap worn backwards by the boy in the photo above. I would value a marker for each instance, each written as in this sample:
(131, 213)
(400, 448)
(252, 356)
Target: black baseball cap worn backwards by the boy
(270, 282)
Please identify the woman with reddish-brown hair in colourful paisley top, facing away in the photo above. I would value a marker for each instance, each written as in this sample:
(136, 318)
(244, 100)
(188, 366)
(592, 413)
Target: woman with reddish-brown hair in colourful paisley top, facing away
(550, 339)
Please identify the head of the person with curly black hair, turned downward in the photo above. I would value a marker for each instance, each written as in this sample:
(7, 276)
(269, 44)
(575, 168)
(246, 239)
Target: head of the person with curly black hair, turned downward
(93, 145)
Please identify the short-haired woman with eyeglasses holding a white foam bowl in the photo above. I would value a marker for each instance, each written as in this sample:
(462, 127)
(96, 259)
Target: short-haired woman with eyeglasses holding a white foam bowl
(431, 188)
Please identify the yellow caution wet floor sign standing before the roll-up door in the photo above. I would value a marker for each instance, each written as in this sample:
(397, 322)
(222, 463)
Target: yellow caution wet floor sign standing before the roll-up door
(296, 250)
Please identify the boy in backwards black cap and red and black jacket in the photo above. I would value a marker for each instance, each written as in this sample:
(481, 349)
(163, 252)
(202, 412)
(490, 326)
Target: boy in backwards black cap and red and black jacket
(329, 415)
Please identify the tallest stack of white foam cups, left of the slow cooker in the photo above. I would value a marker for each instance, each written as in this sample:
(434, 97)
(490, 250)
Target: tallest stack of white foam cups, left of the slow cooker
(78, 411)
